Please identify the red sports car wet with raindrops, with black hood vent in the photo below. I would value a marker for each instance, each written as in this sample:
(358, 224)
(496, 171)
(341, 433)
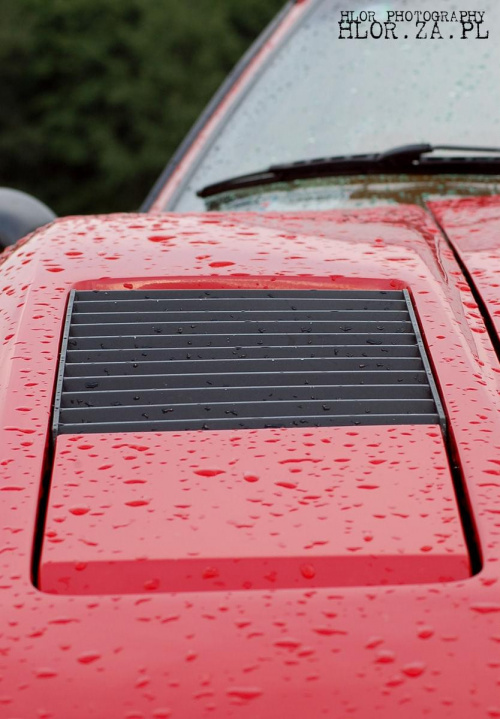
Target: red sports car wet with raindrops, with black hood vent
(250, 435)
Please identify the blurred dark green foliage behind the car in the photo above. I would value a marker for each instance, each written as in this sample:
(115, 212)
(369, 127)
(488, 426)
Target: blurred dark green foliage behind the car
(95, 95)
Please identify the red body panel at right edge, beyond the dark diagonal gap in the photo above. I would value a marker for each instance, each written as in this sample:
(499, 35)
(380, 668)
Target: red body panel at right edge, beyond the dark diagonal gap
(473, 227)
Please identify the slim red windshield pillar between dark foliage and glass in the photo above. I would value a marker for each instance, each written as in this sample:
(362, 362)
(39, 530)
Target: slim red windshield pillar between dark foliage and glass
(292, 17)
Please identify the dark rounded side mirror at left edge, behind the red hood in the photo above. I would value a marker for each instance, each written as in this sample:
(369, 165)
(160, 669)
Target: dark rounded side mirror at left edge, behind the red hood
(20, 214)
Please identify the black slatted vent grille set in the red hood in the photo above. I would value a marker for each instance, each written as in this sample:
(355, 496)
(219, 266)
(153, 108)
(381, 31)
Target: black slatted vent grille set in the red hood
(223, 359)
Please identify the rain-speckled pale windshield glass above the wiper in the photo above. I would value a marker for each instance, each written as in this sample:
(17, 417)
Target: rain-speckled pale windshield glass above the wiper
(323, 96)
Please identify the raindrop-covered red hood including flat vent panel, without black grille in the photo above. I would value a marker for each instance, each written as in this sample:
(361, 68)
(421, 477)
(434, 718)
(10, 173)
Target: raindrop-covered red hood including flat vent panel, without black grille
(267, 571)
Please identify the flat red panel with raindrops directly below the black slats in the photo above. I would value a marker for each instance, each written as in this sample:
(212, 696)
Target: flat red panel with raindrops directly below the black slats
(254, 509)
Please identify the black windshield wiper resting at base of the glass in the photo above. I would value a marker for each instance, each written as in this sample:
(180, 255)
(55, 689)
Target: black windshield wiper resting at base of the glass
(407, 159)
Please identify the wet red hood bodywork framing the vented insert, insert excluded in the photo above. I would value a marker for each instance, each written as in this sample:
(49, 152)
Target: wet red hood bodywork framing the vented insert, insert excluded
(419, 649)
